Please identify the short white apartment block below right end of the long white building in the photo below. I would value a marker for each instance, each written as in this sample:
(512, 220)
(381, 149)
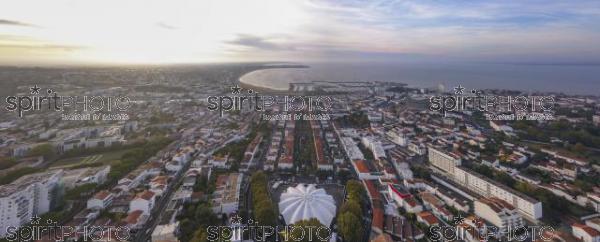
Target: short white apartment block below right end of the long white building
(499, 213)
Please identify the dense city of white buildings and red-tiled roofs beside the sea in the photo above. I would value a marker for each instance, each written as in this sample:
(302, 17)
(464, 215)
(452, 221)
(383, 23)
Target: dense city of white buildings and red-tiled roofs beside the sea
(382, 166)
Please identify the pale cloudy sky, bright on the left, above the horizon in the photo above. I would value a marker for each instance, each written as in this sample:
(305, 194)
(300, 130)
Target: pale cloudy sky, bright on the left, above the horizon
(58, 32)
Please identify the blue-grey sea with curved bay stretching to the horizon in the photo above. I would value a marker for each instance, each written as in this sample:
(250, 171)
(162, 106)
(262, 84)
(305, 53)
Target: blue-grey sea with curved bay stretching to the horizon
(570, 79)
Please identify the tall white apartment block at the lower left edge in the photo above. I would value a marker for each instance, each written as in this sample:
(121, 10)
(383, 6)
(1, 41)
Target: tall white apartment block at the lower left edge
(29, 196)
